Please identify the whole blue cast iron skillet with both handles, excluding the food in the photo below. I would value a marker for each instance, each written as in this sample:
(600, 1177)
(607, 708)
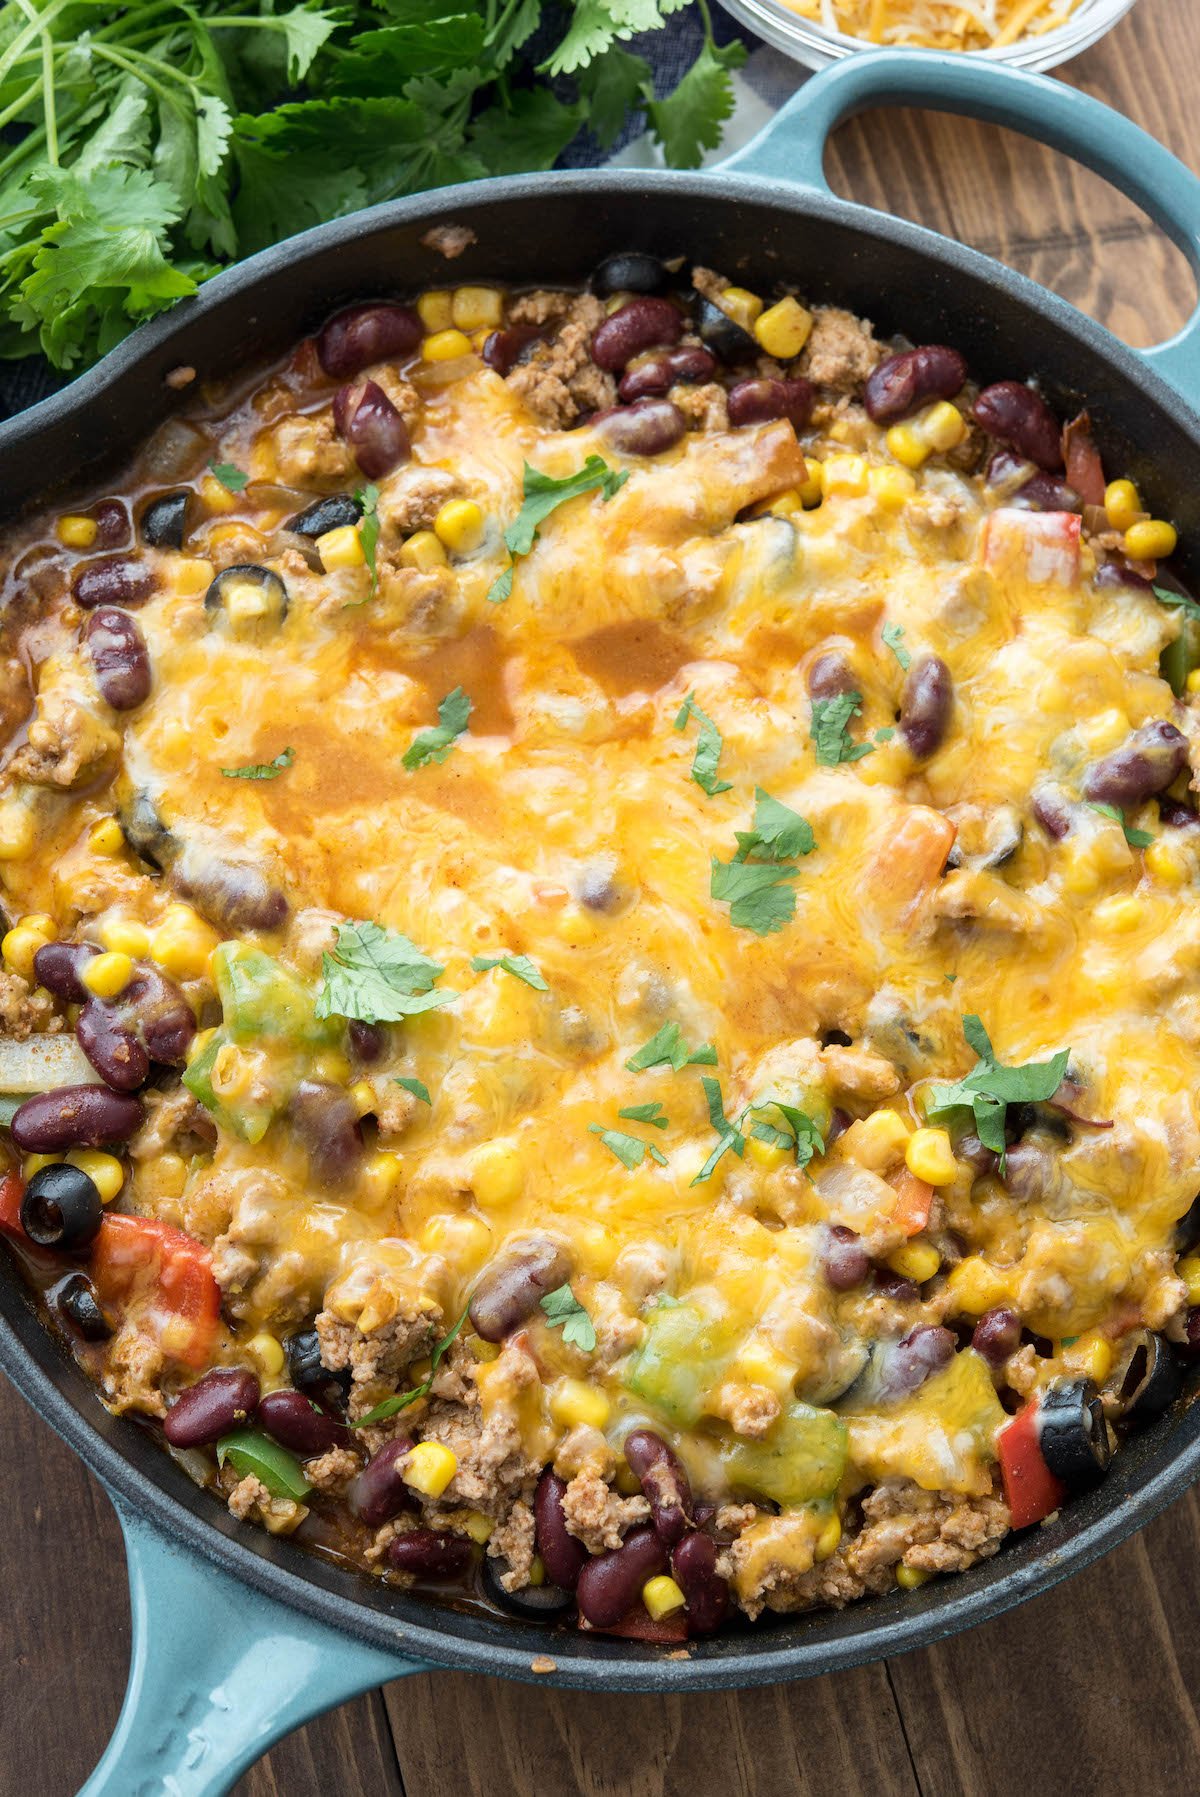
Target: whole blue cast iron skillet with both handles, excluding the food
(238, 1638)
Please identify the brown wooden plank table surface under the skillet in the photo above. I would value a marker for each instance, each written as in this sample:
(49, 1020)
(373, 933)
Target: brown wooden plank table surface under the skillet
(1091, 1688)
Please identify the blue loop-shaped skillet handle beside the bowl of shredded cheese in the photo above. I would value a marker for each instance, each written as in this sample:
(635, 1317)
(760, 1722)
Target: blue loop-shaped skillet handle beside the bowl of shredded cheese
(793, 148)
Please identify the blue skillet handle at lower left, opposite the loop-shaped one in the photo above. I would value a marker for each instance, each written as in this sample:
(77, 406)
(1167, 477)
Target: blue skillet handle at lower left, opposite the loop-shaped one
(216, 1676)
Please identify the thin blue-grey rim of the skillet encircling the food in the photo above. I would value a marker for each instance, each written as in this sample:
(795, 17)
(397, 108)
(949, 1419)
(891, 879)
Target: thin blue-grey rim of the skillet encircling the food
(869, 1631)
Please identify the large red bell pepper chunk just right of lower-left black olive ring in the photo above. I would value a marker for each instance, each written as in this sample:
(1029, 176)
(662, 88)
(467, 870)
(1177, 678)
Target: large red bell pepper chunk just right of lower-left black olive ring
(163, 1275)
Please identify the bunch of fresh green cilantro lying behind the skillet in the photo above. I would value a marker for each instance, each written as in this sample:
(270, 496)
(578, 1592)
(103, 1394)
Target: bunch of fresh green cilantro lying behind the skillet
(145, 146)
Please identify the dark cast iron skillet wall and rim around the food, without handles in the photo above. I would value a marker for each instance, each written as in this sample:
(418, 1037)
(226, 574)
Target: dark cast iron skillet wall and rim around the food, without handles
(551, 231)
